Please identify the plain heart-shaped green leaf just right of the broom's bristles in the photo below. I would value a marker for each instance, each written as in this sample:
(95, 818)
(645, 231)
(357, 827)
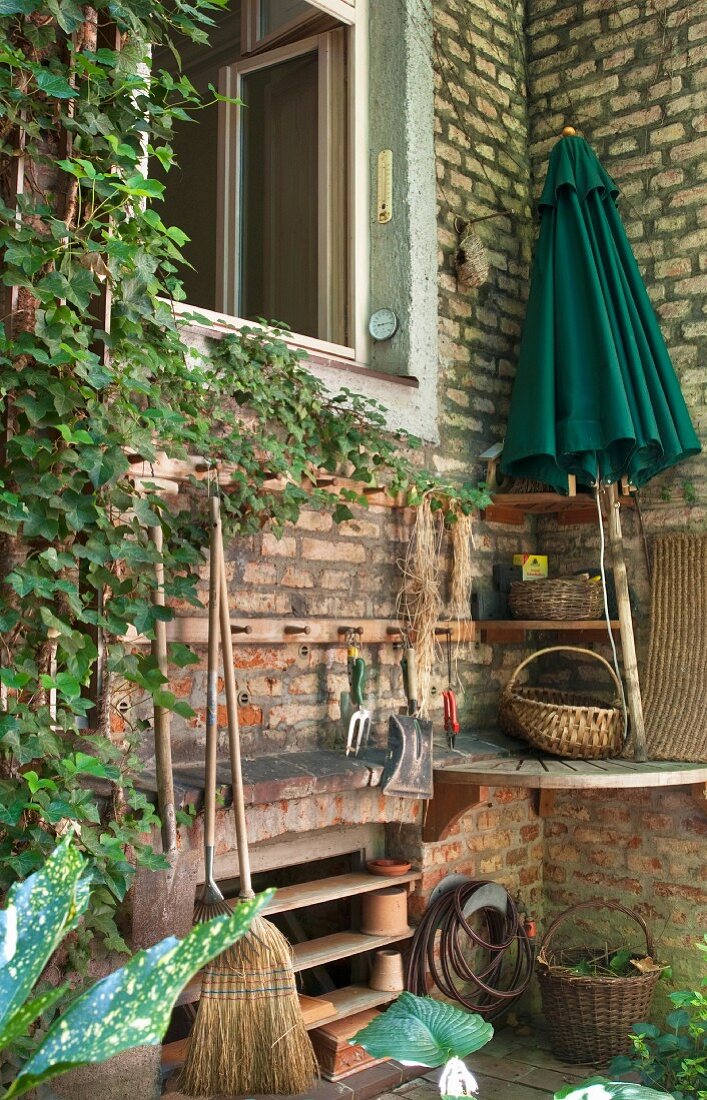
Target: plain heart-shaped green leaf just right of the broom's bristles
(424, 1032)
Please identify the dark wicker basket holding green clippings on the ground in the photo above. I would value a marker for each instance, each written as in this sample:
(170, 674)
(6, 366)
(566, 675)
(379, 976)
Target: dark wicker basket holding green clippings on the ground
(590, 1019)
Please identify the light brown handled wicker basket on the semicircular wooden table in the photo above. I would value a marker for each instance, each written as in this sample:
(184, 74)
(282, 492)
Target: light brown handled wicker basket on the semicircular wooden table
(564, 723)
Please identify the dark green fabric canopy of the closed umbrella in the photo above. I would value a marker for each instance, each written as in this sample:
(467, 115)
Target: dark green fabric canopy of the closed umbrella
(595, 393)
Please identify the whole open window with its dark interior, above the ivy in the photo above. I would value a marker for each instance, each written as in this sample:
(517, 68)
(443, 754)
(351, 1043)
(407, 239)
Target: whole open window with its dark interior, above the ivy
(267, 191)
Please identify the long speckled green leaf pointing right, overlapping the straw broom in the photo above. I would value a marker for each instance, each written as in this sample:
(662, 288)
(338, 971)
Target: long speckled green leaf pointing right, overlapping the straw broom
(132, 1007)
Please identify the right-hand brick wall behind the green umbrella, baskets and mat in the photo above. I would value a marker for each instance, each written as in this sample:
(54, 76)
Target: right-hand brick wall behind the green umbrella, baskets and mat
(632, 78)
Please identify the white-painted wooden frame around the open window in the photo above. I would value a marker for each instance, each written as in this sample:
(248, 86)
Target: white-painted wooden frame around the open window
(355, 16)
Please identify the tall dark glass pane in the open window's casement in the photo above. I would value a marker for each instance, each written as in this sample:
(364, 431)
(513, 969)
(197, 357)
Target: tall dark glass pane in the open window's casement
(280, 212)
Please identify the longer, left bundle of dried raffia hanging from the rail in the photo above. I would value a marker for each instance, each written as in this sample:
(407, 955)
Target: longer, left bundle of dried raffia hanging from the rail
(419, 600)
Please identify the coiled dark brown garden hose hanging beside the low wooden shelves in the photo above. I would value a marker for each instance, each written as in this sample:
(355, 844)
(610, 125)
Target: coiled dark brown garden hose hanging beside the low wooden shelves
(505, 949)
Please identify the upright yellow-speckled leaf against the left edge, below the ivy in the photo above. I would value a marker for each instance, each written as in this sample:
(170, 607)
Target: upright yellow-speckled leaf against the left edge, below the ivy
(49, 905)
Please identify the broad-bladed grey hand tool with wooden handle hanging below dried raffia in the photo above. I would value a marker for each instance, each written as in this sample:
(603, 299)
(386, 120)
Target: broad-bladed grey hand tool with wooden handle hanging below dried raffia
(407, 772)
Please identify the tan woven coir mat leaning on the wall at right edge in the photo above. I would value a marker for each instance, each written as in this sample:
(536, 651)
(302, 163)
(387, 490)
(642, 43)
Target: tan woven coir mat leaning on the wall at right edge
(676, 700)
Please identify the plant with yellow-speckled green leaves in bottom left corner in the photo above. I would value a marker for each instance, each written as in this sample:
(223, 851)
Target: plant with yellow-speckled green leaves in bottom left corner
(129, 1008)
